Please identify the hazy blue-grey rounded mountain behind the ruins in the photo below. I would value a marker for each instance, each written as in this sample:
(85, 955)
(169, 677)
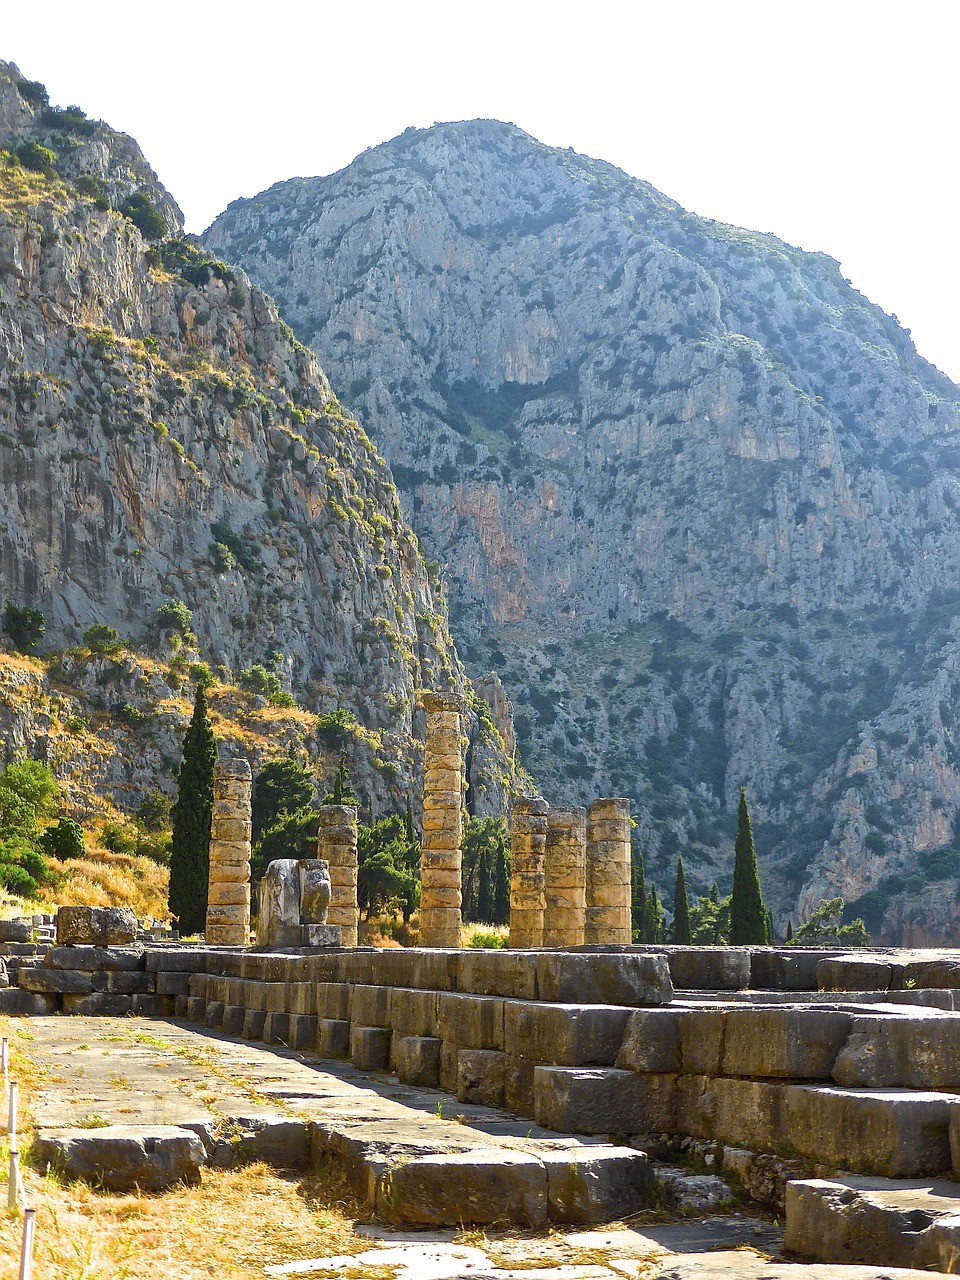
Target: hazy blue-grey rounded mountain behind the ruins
(694, 497)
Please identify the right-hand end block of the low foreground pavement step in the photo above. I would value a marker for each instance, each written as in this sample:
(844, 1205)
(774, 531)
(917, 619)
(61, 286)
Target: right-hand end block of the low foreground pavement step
(597, 1185)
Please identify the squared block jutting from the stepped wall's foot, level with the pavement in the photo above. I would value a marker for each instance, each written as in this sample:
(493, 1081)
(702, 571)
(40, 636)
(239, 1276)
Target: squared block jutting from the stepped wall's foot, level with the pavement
(604, 1100)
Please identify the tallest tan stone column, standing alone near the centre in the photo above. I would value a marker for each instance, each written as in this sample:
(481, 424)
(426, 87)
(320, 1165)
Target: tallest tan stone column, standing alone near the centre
(444, 820)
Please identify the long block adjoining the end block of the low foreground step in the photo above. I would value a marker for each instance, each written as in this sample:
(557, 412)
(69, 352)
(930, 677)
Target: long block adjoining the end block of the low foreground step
(479, 1187)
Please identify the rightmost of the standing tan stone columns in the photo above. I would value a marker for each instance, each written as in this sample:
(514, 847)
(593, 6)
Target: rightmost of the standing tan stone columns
(609, 874)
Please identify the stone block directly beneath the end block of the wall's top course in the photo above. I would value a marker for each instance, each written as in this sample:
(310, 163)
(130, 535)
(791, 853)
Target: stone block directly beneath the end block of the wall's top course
(564, 1035)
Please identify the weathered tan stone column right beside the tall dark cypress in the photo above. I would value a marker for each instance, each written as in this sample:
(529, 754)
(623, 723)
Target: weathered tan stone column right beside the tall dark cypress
(228, 892)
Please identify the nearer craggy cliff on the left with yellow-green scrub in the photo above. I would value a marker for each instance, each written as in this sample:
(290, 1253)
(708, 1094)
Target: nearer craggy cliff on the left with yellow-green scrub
(164, 438)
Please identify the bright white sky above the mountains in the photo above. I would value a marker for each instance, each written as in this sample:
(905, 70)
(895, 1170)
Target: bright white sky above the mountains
(831, 124)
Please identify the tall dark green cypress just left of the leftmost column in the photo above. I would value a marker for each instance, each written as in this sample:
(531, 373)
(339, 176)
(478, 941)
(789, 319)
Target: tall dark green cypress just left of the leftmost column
(191, 815)
